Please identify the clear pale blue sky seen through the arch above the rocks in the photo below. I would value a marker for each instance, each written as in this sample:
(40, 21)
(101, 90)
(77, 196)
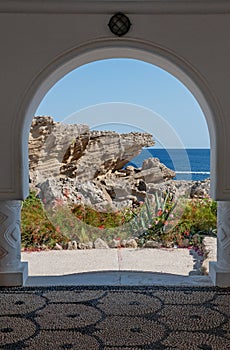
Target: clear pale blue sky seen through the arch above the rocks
(125, 95)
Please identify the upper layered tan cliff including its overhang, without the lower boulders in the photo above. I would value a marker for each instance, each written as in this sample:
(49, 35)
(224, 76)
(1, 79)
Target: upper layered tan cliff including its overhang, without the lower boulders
(73, 151)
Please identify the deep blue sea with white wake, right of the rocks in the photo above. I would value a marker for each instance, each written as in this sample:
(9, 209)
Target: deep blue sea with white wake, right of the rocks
(189, 164)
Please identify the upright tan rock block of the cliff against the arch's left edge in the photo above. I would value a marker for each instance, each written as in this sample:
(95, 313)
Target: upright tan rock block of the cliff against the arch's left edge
(48, 144)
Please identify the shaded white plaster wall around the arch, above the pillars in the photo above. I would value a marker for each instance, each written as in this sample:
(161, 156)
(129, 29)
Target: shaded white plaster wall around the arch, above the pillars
(38, 48)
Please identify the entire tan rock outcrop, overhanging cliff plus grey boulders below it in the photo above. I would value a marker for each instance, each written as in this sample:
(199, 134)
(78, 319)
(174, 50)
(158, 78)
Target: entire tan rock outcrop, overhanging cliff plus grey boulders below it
(72, 163)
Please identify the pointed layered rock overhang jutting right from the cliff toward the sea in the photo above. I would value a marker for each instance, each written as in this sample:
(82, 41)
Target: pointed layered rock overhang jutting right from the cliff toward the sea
(102, 151)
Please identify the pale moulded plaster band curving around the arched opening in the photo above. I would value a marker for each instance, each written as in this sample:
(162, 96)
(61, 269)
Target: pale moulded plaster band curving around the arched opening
(116, 48)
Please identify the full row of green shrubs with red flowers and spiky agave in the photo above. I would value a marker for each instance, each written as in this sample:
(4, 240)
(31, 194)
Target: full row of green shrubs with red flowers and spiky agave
(164, 221)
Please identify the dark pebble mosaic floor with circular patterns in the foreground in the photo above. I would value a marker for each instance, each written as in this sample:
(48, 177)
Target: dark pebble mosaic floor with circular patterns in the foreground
(115, 318)
